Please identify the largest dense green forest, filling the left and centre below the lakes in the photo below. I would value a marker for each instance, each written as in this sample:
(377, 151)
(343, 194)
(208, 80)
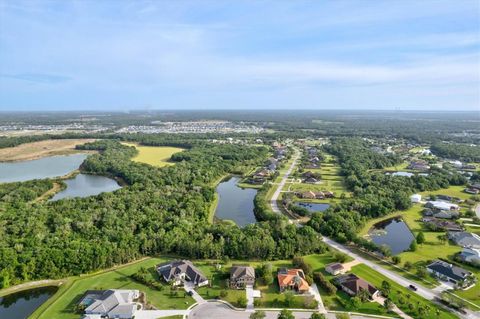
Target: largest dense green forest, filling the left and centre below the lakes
(161, 210)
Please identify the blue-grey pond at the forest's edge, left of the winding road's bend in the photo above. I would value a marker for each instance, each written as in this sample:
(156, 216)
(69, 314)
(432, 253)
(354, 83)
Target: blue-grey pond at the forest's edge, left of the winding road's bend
(235, 203)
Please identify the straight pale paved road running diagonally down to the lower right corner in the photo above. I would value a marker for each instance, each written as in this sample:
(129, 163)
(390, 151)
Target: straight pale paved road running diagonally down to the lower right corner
(424, 292)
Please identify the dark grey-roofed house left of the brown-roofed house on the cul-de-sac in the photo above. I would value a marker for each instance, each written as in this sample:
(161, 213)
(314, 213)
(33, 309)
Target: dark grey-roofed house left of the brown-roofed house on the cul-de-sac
(177, 271)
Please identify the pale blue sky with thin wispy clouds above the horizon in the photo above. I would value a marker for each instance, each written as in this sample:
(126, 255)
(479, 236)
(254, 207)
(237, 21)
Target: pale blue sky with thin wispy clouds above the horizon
(125, 55)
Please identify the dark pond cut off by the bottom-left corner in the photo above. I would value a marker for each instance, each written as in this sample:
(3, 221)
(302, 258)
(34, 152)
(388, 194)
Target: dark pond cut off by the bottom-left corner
(22, 304)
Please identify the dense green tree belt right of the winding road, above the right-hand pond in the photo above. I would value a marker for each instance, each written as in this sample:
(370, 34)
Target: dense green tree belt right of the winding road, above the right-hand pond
(375, 193)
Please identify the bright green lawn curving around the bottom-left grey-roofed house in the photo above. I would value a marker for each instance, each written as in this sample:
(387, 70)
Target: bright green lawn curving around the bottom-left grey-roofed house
(61, 305)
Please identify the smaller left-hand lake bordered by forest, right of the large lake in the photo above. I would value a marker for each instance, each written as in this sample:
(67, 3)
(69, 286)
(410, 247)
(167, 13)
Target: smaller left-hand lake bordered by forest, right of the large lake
(83, 185)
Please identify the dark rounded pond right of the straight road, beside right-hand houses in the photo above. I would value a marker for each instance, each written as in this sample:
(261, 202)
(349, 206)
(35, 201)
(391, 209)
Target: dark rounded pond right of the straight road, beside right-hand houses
(393, 233)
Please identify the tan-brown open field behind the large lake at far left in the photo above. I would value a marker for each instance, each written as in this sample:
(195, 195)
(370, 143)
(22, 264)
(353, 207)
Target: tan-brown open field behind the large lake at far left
(35, 150)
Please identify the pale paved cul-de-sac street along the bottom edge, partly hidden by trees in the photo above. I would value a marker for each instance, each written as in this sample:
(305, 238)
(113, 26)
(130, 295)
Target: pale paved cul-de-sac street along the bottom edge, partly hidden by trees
(217, 310)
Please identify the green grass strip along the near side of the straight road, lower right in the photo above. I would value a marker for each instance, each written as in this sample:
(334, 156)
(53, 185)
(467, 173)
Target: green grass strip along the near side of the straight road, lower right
(398, 291)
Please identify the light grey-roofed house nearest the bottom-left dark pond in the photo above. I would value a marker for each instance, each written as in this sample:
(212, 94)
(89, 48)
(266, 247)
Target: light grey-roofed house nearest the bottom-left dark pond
(111, 303)
